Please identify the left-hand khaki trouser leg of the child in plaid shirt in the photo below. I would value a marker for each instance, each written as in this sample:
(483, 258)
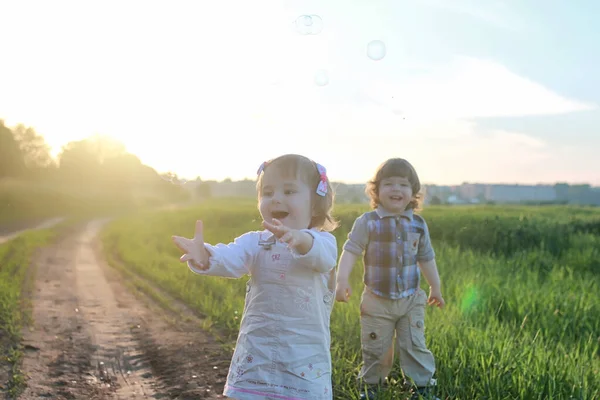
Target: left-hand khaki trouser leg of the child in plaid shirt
(377, 333)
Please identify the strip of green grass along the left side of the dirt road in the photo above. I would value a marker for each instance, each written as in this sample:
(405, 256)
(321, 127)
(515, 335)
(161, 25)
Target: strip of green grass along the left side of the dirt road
(15, 280)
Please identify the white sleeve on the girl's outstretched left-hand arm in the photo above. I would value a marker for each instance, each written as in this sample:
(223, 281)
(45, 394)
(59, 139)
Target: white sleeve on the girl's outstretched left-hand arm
(231, 260)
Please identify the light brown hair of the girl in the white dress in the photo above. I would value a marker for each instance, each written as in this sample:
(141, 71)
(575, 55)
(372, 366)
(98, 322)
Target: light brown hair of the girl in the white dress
(305, 169)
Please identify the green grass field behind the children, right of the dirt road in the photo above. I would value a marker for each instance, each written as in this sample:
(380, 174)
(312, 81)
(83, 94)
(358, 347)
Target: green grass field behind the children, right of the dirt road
(522, 286)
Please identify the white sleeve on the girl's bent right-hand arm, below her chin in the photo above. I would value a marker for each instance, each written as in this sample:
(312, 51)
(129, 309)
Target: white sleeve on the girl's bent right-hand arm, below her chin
(322, 256)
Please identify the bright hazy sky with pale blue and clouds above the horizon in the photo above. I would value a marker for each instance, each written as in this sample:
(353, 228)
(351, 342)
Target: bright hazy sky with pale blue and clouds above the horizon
(467, 91)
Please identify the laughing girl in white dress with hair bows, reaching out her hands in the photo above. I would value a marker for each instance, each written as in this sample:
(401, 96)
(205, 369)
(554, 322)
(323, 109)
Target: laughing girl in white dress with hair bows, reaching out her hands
(283, 346)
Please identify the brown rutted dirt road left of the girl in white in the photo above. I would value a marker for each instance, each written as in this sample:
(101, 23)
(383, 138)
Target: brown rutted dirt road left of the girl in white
(93, 339)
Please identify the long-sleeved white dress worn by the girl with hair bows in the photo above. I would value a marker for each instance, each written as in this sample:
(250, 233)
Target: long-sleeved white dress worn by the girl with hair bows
(283, 346)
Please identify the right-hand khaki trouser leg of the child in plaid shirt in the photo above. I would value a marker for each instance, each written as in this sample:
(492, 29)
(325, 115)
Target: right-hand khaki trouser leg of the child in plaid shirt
(416, 360)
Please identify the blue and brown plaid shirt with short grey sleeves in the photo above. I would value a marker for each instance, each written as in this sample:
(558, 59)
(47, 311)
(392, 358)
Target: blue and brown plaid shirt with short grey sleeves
(392, 245)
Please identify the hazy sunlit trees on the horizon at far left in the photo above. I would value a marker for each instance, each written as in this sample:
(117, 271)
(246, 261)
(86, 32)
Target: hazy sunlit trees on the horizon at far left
(97, 164)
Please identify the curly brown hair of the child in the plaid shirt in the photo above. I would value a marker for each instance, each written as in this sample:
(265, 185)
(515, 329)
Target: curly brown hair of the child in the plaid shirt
(390, 168)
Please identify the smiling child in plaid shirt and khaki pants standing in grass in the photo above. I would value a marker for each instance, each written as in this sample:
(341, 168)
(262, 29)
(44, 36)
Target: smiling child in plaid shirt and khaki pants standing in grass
(396, 247)
